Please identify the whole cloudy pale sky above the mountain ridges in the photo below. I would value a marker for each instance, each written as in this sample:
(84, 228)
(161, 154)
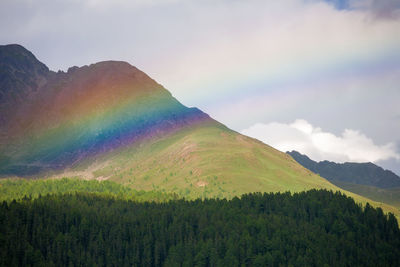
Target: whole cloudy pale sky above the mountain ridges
(320, 77)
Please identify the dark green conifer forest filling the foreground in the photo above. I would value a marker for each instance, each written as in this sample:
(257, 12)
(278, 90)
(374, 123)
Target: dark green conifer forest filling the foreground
(314, 228)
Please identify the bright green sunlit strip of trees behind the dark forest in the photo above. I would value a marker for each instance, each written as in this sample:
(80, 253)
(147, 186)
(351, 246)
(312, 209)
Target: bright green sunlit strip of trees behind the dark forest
(24, 188)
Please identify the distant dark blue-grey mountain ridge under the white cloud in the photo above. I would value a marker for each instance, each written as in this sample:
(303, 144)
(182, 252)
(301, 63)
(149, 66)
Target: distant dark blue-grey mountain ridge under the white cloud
(349, 172)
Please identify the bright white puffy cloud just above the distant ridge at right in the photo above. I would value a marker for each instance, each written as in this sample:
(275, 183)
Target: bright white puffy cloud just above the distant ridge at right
(351, 145)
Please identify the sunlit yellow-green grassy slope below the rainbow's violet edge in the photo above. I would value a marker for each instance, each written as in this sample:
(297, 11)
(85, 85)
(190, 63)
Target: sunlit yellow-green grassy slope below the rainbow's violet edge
(211, 161)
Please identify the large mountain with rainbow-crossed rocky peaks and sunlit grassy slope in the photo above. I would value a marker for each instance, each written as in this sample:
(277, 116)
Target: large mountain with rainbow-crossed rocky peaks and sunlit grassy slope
(110, 121)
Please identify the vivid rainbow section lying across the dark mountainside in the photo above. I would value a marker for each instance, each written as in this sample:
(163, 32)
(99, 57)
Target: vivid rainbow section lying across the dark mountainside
(89, 111)
